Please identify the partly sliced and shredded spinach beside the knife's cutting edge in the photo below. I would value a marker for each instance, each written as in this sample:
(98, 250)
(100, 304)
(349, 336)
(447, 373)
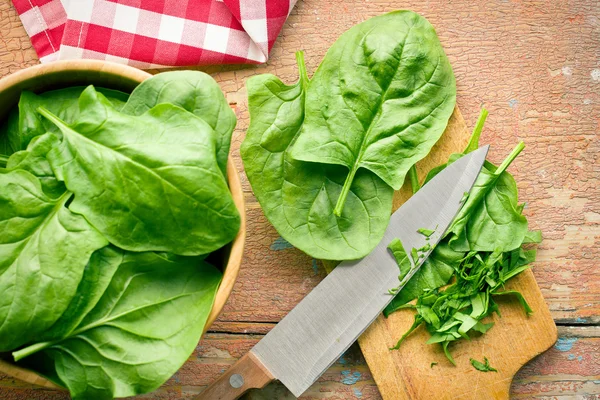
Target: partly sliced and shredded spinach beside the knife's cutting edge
(483, 248)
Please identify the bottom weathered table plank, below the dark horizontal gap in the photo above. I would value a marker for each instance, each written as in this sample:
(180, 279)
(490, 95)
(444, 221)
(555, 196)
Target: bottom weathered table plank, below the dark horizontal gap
(571, 368)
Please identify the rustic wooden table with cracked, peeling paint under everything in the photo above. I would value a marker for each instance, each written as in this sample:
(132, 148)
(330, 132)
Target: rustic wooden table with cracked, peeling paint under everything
(536, 66)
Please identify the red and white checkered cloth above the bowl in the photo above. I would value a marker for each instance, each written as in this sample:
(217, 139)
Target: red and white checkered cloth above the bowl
(154, 33)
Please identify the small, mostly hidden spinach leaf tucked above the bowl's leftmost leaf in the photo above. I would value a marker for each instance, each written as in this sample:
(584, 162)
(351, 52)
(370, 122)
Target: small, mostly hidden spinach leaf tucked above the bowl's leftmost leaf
(34, 160)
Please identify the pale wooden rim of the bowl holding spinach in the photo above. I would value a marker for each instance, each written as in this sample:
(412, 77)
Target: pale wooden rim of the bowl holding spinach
(133, 76)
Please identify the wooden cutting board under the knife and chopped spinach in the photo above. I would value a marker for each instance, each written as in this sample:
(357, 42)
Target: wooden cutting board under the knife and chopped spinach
(515, 338)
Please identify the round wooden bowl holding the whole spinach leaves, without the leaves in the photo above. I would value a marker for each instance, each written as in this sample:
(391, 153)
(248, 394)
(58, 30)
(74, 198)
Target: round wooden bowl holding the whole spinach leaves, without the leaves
(59, 74)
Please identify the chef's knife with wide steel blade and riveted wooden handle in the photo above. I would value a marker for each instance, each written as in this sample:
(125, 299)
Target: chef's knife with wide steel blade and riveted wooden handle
(332, 316)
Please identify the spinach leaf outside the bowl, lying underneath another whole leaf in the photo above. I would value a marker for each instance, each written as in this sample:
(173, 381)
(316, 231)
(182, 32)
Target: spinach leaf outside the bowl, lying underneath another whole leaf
(298, 197)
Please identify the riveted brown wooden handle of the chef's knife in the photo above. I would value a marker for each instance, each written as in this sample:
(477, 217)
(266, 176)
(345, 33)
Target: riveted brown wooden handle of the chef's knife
(247, 373)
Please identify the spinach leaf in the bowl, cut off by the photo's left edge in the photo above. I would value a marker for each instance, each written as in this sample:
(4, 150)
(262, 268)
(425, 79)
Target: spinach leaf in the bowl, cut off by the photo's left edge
(44, 248)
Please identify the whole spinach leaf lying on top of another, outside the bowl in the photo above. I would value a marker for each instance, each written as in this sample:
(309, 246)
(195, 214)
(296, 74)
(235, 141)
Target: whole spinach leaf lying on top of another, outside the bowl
(379, 101)
